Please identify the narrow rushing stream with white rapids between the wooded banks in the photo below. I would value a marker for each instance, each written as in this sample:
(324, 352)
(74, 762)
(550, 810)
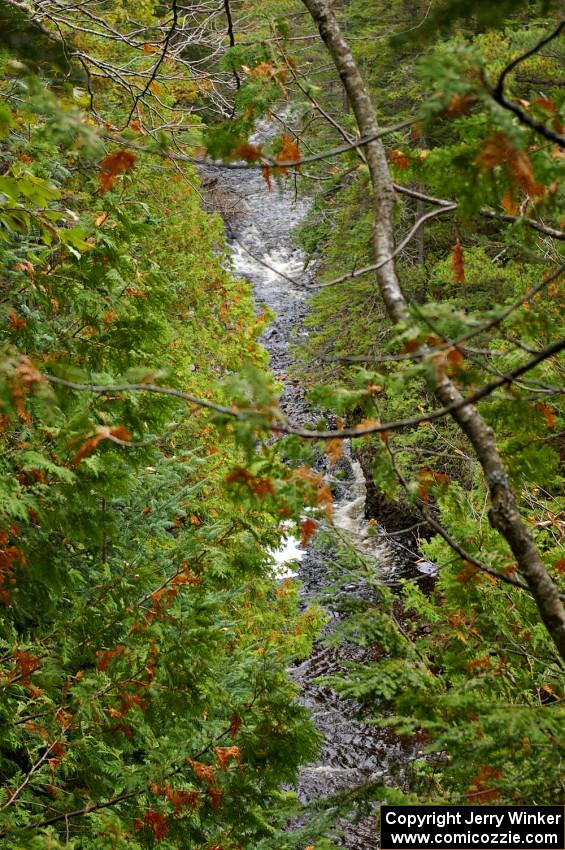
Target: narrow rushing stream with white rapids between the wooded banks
(260, 224)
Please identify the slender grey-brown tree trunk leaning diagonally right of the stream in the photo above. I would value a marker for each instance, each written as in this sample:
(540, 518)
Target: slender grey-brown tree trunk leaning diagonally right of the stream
(504, 514)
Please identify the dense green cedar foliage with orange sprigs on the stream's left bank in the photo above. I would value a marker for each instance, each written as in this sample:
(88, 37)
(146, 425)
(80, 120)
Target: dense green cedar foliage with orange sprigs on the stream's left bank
(144, 639)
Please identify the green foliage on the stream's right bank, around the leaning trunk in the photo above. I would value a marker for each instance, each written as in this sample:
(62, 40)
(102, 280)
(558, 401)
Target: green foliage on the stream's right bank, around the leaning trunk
(461, 666)
